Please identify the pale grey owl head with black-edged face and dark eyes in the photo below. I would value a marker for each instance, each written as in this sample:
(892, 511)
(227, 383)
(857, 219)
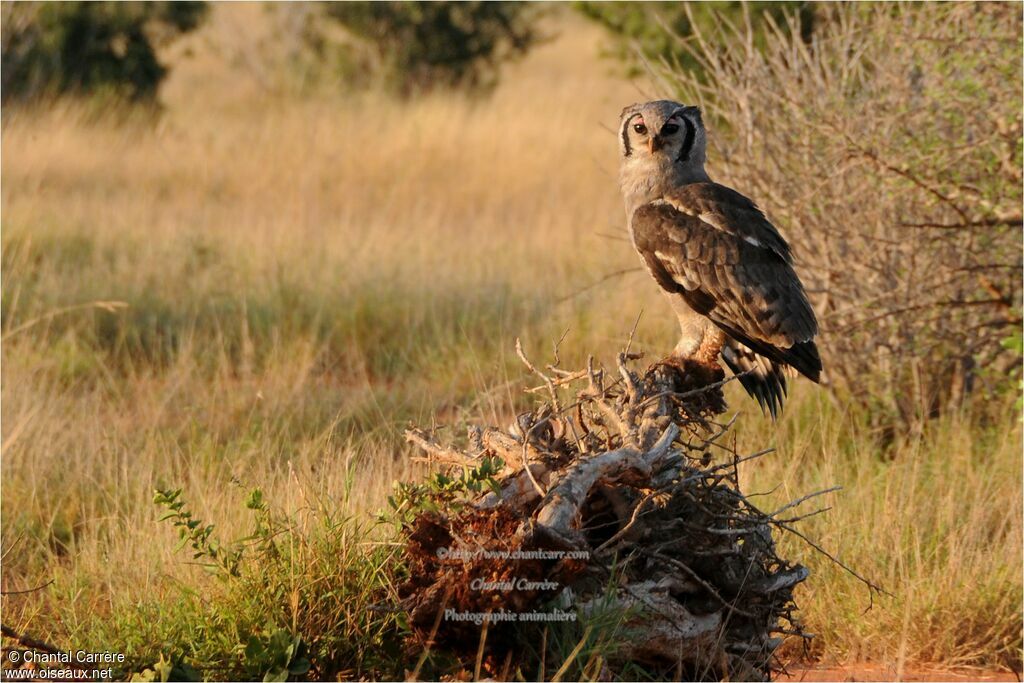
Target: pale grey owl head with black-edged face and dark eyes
(665, 139)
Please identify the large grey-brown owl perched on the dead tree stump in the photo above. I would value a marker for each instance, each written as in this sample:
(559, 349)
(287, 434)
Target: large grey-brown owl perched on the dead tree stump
(726, 269)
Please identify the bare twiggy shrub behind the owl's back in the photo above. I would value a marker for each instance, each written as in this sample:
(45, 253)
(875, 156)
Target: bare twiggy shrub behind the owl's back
(888, 150)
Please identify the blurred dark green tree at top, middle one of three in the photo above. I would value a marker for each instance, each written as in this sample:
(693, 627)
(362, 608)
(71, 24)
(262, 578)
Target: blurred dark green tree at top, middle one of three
(416, 47)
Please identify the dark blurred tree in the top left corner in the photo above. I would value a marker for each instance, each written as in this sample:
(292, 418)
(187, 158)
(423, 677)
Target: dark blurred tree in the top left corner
(89, 48)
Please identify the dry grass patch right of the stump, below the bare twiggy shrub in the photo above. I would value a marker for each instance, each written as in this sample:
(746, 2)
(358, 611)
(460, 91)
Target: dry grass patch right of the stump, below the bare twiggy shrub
(935, 520)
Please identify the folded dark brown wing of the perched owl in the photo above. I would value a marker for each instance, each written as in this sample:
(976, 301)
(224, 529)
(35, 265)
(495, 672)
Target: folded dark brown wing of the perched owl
(713, 247)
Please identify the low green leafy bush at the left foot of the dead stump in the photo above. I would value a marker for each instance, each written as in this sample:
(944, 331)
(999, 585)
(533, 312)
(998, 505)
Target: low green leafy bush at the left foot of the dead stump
(295, 599)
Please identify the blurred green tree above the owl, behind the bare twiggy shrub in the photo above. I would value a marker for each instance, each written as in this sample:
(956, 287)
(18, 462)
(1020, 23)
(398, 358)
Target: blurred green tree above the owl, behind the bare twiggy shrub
(653, 30)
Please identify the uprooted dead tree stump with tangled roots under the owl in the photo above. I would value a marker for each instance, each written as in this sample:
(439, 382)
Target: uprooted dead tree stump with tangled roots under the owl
(617, 494)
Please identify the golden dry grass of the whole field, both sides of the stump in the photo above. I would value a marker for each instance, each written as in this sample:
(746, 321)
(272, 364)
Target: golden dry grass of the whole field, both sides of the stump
(305, 277)
